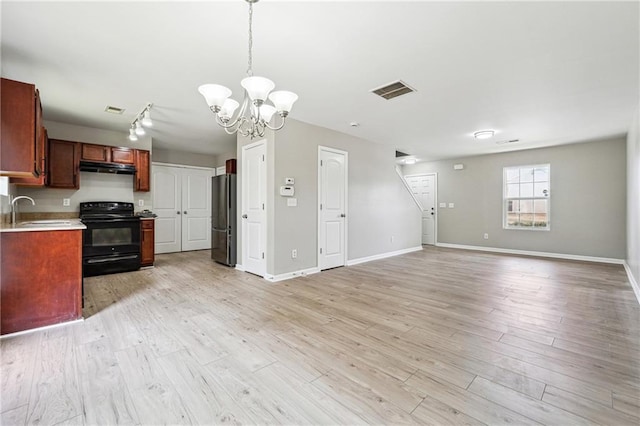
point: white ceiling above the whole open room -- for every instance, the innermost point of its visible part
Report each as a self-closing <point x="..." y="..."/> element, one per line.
<point x="543" y="72"/>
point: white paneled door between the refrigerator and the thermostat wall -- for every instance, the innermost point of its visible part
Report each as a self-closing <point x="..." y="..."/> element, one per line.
<point x="254" y="217"/>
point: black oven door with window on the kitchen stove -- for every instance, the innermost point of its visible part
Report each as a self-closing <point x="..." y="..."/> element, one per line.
<point x="111" y="237"/>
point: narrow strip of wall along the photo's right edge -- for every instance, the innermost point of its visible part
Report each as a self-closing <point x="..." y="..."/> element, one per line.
<point x="633" y="198"/>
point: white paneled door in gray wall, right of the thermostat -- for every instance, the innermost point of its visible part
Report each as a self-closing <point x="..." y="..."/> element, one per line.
<point x="332" y="181"/>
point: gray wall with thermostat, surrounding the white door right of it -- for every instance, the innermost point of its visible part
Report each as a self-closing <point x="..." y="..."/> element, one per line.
<point x="379" y="207"/>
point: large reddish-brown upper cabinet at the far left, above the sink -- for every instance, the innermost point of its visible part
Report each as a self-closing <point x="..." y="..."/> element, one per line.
<point x="21" y="149"/>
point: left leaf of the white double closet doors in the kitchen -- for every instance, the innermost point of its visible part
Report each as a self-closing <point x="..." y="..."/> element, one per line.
<point x="166" y="187"/>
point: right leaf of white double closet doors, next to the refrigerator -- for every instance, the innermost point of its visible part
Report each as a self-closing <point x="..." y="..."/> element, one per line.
<point x="196" y="209"/>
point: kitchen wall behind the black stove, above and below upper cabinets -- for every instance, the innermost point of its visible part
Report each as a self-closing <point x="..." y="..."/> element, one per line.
<point x="93" y="186"/>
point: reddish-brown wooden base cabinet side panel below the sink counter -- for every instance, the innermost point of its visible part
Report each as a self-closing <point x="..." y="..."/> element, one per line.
<point x="41" y="279"/>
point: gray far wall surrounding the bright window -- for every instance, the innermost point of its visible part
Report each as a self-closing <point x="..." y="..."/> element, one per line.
<point x="588" y="200"/>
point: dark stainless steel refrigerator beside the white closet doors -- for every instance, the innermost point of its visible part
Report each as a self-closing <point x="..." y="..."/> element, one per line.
<point x="223" y="219"/>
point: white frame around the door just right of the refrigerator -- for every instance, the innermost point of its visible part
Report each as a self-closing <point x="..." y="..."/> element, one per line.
<point x="240" y="211"/>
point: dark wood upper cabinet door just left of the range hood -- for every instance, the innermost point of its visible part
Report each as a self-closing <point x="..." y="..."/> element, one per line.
<point x="64" y="160"/>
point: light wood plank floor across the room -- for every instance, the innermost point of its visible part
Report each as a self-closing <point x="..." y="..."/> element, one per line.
<point x="439" y="336"/>
